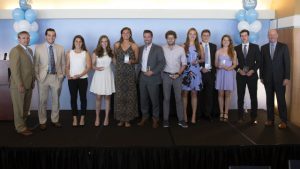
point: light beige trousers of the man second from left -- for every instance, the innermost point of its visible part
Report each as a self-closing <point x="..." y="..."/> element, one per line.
<point x="53" y="83"/>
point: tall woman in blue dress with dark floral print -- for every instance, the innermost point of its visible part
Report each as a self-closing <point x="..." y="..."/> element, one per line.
<point x="191" y="78"/>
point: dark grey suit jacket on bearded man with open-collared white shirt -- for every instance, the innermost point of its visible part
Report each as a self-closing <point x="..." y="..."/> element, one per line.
<point x="157" y="62"/>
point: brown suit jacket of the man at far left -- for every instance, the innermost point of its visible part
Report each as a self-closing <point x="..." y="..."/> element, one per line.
<point x="22" y="68"/>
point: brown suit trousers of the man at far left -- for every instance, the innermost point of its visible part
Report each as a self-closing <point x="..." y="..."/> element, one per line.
<point x="21" y="104"/>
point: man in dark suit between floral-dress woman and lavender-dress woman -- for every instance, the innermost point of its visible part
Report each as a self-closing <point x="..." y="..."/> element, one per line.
<point x="208" y="76"/>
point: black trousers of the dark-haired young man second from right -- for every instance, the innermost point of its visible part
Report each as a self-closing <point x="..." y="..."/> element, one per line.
<point x="251" y="82"/>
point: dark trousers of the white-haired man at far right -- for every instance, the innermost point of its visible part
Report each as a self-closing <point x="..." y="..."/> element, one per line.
<point x="279" y="89"/>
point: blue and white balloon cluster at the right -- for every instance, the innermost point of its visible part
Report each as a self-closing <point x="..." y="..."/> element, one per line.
<point x="247" y="19"/>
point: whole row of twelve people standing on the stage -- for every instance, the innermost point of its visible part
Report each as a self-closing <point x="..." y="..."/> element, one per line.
<point x="187" y="68"/>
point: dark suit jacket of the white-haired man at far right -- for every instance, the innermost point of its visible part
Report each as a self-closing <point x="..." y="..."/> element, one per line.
<point x="278" y="69"/>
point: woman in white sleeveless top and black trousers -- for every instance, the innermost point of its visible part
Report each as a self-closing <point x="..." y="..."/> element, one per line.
<point x="78" y="64"/>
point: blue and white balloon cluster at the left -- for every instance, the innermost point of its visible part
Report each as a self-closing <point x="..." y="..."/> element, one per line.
<point x="25" y="20"/>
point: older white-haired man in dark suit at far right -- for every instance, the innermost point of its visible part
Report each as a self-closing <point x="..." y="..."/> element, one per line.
<point x="275" y="75"/>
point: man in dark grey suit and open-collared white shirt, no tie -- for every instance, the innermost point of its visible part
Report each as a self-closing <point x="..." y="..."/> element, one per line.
<point x="152" y="62"/>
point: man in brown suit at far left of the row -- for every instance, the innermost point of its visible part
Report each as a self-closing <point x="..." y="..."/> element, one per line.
<point x="21" y="81"/>
